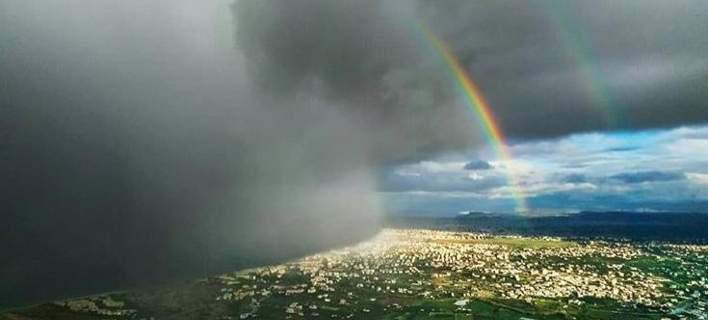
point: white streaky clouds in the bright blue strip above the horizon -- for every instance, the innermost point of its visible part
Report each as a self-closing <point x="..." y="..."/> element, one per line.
<point x="542" y="169"/>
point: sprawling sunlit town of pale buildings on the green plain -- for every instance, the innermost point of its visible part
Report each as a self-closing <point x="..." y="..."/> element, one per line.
<point x="532" y="273"/>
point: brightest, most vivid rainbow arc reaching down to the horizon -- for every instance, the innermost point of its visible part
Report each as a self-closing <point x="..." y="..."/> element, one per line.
<point x="480" y="107"/>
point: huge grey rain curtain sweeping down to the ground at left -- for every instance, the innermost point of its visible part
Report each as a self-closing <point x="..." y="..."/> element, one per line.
<point x="135" y="150"/>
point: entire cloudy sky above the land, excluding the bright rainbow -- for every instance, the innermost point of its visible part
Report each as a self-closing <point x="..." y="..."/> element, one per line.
<point x="144" y="141"/>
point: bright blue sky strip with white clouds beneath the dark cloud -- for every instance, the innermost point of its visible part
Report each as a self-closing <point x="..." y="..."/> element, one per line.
<point x="645" y="170"/>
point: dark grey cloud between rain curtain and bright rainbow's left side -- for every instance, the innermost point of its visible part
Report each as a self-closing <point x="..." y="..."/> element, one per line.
<point x="363" y="58"/>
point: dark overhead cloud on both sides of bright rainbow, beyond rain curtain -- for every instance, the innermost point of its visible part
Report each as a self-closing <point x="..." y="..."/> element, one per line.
<point x="548" y="68"/>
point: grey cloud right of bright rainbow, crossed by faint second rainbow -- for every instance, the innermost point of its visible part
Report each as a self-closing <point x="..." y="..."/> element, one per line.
<point x="554" y="67"/>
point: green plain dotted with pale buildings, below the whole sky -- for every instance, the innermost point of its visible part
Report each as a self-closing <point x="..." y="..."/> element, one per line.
<point x="423" y="274"/>
